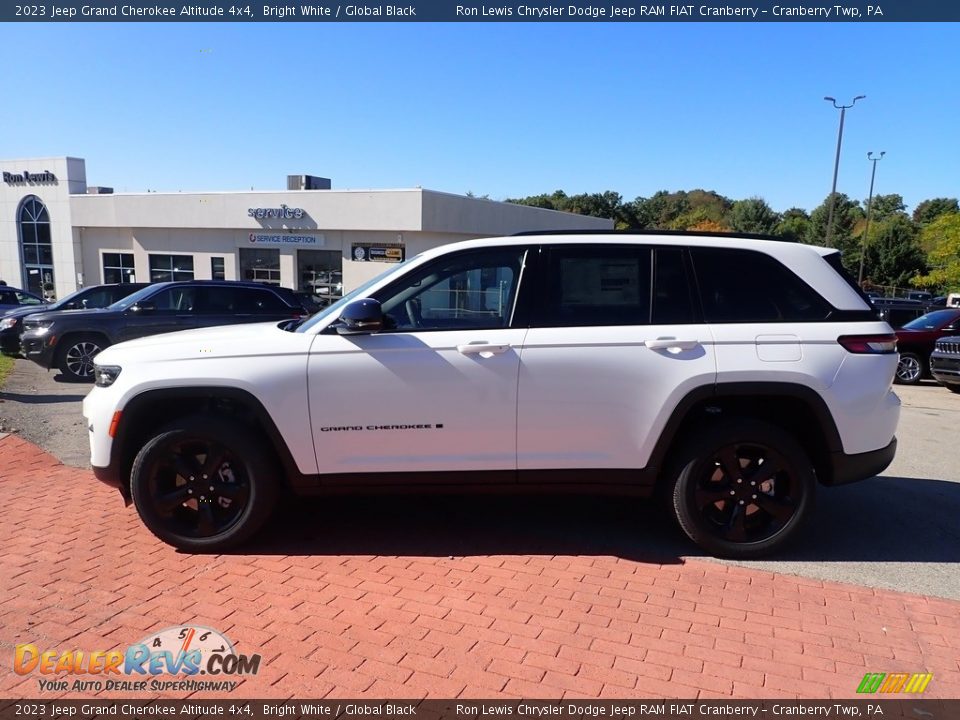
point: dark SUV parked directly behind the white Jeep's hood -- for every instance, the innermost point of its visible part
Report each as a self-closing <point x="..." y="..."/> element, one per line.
<point x="69" y="340"/>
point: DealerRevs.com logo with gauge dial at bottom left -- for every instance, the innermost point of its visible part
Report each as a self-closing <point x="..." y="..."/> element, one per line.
<point x="183" y="650"/>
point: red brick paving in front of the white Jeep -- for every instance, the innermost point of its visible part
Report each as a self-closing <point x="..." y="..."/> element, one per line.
<point x="79" y="571"/>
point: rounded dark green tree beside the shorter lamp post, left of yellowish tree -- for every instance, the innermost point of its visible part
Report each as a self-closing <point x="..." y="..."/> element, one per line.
<point x="893" y="255"/>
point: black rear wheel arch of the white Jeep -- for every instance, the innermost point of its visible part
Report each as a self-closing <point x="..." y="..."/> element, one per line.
<point x="795" y="408"/>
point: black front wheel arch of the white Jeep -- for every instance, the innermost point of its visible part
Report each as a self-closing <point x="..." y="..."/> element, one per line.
<point x="144" y="414"/>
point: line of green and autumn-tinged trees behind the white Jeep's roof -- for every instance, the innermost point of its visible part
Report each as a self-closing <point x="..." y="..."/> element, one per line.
<point x="920" y="249"/>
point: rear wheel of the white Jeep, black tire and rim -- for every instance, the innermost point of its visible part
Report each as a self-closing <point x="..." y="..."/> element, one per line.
<point x="714" y="501"/>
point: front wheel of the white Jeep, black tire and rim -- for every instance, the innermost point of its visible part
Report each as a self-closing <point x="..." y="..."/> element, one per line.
<point x="172" y="475"/>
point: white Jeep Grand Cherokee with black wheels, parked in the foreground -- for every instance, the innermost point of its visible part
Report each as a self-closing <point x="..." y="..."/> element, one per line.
<point x="731" y="373"/>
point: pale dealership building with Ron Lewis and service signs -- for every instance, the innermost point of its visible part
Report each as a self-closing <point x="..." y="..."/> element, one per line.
<point x="57" y="233"/>
